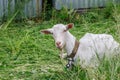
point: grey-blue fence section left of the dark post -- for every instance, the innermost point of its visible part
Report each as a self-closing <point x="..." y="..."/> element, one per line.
<point x="31" y="8"/>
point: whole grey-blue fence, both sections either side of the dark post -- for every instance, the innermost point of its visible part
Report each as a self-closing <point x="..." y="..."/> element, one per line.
<point x="33" y="8"/>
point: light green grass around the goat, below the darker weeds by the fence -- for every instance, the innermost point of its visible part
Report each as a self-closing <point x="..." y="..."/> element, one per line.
<point x="26" y="54"/>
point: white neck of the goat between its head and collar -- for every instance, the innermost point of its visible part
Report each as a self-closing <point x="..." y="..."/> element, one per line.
<point x="70" y="42"/>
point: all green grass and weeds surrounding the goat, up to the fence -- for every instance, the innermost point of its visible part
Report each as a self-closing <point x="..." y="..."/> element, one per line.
<point x="25" y="54"/>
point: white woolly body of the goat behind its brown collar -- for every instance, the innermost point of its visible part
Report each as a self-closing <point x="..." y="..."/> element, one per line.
<point x="95" y="45"/>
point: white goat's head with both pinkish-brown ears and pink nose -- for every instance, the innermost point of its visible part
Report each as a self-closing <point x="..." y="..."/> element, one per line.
<point x="59" y="32"/>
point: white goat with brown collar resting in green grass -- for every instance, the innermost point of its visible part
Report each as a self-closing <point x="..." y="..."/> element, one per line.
<point x="88" y="49"/>
